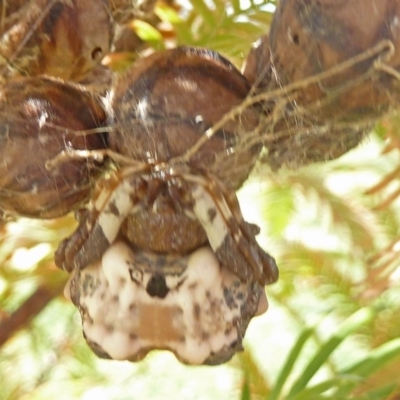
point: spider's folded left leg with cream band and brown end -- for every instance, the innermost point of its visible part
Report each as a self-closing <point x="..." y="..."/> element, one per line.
<point x="99" y="227"/>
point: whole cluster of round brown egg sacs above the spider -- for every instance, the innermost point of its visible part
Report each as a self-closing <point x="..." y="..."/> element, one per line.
<point x="166" y="102"/>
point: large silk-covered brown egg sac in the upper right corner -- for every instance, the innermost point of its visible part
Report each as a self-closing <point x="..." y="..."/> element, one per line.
<point x="325" y="119"/>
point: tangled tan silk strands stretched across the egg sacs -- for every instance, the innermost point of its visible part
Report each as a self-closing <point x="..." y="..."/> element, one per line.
<point x="289" y="129"/>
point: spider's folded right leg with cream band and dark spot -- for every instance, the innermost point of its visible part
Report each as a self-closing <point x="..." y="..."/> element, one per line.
<point x="231" y="238"/>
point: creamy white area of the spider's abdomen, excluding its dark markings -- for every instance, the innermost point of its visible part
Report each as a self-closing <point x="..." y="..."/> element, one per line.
<point x="124" y="320"/>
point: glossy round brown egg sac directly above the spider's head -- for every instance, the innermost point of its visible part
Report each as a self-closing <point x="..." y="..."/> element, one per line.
<point x="165" y="103"/>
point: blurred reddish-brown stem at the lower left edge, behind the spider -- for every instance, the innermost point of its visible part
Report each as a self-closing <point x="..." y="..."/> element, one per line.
<point x="32" y="306"/>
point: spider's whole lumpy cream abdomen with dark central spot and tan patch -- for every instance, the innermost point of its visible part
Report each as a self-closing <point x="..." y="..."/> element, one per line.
<point x="201" y="315"/>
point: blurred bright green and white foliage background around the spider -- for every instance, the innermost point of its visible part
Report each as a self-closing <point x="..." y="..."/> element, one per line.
<point x="332" y="330"/>
